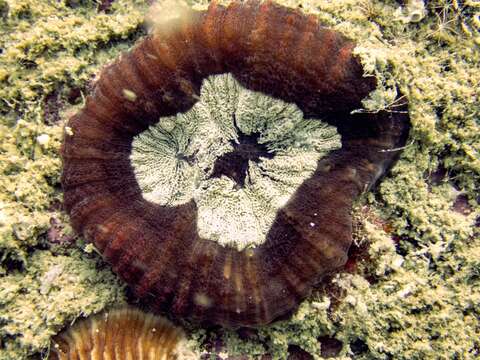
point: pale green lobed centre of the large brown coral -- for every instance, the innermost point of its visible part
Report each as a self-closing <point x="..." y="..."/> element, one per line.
<point x="239" y="154"/>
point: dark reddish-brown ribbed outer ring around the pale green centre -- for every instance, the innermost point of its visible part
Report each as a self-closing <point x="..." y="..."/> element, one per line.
<point x="156" y="248"/>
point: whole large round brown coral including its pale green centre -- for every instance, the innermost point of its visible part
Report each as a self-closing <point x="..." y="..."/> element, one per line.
<point x="156" y="236"/>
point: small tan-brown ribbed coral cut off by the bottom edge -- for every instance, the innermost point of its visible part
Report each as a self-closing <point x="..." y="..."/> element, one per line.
<point x="124" y="333"/>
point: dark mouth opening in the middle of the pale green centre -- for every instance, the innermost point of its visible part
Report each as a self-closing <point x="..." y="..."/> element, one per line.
<point x="234" y="164"/>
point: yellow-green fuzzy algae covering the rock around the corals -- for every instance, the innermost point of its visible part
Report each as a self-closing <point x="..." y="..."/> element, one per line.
<point x="415" y="291"/>
